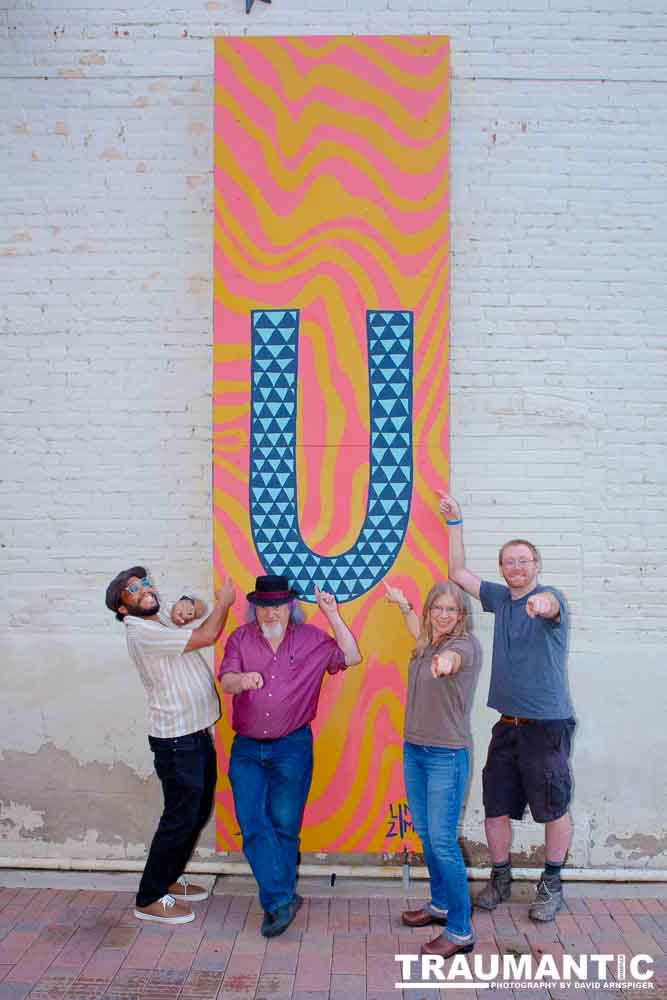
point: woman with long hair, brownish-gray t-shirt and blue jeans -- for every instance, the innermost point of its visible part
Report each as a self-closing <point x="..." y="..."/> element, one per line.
<point x="441" y="679"/>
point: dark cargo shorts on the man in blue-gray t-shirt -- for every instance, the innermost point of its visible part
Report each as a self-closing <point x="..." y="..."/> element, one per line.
<point x="529" y="764"/>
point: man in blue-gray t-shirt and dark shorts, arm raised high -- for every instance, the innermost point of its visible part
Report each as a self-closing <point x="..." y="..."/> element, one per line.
<point x="528" y="756"/>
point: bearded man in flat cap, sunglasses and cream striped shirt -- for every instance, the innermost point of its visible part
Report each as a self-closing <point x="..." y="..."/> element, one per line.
<point x="182" y="705"/>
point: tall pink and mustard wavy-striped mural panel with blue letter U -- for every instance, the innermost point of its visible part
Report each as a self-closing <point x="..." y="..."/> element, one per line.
<point x="330" y="387"/>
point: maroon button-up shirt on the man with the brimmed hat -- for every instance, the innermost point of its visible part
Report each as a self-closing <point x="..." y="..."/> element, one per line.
<point x="292" y="678"/>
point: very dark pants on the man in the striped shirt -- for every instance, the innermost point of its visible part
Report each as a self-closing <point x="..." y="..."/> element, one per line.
<point x="187" y="768"/>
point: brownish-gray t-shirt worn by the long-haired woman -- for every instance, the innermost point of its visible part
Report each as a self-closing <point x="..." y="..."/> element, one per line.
<point x="436" y="710"/>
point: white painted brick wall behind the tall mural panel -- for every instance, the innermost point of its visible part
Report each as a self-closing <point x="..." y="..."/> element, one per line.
<point x="559" y="215"/>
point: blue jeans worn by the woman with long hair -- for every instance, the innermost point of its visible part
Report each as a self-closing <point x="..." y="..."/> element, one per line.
<point x="435" y="780"/>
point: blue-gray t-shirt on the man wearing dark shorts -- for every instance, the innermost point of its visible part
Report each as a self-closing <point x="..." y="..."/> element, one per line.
<point x="528" y="677"/>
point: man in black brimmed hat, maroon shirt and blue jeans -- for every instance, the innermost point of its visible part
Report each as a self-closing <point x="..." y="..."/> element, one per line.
<point x="274" y="667"/>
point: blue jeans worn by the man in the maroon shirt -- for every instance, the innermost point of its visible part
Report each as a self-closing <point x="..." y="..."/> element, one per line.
<point x="270" y="782"/>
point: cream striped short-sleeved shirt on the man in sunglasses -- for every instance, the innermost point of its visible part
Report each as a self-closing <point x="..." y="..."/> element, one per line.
<point x="179" y="686"/>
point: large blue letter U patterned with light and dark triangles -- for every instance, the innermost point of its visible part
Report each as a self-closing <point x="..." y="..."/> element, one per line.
<point x="273" y="487"/>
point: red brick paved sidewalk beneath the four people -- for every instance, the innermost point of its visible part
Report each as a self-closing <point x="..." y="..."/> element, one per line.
<point x="69" y="943"/>
